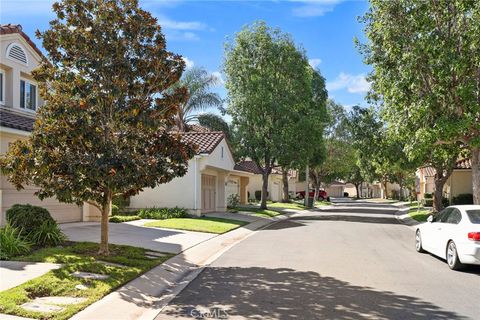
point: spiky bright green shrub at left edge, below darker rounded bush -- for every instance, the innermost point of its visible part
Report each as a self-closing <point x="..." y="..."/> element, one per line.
<point x="12" y="243"/>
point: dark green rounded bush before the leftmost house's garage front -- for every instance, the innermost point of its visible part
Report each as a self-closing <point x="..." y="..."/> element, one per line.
<point x="27" y="218"/>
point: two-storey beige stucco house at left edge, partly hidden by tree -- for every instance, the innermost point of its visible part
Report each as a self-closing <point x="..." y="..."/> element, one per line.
<point x="19" y="101"/>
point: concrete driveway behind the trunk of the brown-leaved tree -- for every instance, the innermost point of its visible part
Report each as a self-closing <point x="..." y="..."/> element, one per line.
<point x="134" y="234"/>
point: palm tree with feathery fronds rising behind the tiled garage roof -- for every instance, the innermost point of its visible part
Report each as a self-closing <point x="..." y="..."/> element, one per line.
<point x="198" y="82"/>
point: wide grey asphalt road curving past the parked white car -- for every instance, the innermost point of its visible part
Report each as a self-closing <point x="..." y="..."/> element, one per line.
<point x="353" y="261"/>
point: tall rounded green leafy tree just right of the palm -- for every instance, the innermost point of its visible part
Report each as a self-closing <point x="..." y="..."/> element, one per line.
<point x="269" y="85"/>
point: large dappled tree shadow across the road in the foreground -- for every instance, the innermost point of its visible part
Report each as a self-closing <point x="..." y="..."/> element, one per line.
<point x="261" y="293"/>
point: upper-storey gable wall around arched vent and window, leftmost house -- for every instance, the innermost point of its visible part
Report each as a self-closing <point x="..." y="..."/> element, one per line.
<point x="14" y="71"/>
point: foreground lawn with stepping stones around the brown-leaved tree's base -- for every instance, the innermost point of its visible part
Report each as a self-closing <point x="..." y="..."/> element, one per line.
<point x="80" y="256"/>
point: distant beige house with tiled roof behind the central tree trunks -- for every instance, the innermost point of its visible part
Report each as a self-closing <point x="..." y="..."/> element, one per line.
<point x="275" y="184"/>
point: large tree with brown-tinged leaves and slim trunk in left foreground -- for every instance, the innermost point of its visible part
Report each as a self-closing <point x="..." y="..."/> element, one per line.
<point x="103" y="129"/>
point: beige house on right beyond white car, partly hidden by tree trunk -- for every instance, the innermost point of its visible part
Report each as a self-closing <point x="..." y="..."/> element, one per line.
<point x="459" y="182"/>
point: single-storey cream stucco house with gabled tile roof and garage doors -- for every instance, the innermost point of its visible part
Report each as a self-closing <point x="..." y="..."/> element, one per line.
<point x="210" y="180"/>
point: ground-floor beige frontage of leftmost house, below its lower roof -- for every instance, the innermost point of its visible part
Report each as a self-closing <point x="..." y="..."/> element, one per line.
<point x="9" y="196"/>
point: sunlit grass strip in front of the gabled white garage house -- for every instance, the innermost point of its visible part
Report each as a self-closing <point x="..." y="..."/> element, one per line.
<point x="202" y="224"/>
